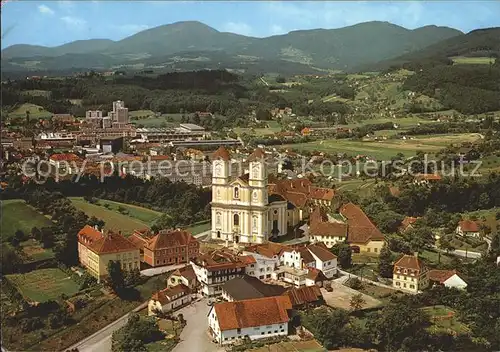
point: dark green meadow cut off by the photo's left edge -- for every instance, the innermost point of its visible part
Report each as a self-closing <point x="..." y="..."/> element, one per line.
<point x="17" y="215"/>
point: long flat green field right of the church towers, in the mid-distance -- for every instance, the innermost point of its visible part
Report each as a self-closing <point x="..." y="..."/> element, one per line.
<point x="384" y="150"/>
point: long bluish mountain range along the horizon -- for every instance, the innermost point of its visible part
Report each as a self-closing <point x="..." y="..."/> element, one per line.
<point x="343" y="48"/>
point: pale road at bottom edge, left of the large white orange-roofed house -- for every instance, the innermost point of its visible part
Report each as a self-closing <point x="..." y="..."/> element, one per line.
<point x="194" y="336"/>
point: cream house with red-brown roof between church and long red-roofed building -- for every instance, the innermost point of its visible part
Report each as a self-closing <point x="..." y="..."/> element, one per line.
<point x="325" y="230"/>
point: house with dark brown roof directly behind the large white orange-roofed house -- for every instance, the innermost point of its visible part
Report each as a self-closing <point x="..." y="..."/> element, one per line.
<point x="249" y="287"/>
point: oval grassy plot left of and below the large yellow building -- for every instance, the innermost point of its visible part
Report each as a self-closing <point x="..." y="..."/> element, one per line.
<point x="44" y="284"/>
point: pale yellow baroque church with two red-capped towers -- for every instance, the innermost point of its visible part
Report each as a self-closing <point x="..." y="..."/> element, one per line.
<point x="242" y="209"/>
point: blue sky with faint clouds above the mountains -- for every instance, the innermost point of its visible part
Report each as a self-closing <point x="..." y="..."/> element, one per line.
<point x="53" y="23"/>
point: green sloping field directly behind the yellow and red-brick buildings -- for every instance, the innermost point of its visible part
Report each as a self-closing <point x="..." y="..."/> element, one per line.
<point x="113" y="219"/>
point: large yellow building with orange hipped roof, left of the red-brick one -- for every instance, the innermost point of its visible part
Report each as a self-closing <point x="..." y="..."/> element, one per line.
<point x="96" y="249"/>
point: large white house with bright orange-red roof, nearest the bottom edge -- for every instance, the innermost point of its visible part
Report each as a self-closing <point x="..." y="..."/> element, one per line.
<point x="256" y="318"/>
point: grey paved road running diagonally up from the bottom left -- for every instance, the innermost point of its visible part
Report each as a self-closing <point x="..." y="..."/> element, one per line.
<point x="101" y="340"/>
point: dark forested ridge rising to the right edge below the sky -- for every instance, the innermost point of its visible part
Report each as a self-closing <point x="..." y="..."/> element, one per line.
<point x="481" y="42"/>
